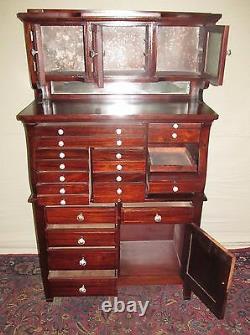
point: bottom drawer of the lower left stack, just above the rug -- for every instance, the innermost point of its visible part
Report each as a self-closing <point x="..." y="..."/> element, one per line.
<point x="81" y="286"/>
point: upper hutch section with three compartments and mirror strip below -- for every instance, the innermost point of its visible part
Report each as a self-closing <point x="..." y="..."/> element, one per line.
<point x="77" y="52"/>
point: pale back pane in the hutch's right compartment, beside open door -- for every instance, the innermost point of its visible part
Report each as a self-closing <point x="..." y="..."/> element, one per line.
<point x="178" y="49"/>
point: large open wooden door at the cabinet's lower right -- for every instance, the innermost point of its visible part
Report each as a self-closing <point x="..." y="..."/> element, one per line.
<point x="207" y="269"/>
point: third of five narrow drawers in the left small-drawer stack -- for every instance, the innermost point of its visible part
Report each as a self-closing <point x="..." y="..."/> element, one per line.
<point x="62" y="177"/>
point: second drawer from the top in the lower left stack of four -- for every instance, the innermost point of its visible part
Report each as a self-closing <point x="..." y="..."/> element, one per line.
<point x="80" y="237"/>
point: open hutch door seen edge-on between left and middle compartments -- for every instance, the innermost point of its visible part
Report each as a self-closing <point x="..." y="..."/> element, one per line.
<point x="97" y="54"/>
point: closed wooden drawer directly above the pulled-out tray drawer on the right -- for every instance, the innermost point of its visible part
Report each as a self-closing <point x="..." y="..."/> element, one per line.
<point x="164" y="133"/>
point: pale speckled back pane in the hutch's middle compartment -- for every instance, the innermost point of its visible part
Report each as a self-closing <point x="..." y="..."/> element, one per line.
<point x="124" y="48"/>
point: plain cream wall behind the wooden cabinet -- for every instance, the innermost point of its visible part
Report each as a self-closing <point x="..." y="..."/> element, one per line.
<point x="226" y="215"/>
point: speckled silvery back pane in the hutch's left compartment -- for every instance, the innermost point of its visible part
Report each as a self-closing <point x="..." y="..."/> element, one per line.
<point x="63" y="48"/>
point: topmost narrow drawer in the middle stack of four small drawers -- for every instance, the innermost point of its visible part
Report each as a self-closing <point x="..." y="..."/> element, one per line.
<point x="118" y="155"/>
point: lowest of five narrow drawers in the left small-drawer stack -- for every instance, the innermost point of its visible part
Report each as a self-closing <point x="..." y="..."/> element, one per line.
<point x="63" y="199"/>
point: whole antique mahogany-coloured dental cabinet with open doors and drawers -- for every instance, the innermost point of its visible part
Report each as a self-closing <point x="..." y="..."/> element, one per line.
<point x="117" y="141"/>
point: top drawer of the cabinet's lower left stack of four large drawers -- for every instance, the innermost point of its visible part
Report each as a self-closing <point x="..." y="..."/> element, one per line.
<point x="80" y="215"/>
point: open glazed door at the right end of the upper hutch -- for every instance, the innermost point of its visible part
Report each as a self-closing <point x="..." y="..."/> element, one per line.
<point x="216" y="51"/>
